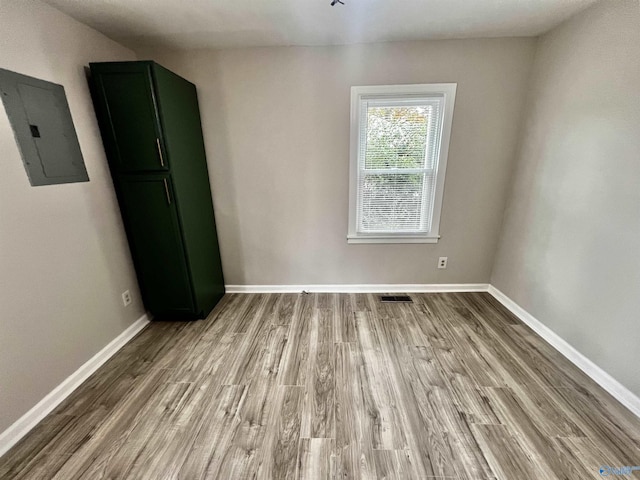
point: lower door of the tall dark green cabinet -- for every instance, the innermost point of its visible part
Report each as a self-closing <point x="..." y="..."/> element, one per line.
<point x="149" y="209"/>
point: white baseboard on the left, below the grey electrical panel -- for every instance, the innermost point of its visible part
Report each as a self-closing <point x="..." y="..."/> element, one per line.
<point x="24" y="424"/>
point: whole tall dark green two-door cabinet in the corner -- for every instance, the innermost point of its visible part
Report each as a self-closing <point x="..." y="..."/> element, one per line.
<point x="150" y="124"/>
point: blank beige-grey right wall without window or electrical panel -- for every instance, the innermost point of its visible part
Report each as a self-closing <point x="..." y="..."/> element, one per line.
<point x="570" y="248"/>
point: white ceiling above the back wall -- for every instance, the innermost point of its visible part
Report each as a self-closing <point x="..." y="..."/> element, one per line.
<point x="187" y="24"/>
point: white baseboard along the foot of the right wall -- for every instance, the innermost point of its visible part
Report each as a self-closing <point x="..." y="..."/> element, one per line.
<point x="602" y="378"/>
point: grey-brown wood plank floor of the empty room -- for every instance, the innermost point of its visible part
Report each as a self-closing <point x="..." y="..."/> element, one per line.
<point x="328" y="386"/>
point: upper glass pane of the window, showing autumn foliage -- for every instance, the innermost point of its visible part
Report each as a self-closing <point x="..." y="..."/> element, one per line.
<point x="396" y="136"/>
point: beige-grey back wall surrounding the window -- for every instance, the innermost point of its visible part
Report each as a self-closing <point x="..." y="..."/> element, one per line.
<point x="276" y="124"/>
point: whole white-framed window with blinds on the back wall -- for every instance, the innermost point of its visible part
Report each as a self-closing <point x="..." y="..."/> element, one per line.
<point x="399" y="143"/>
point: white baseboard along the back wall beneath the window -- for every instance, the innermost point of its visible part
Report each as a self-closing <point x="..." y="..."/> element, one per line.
<point x="361" y="288"/>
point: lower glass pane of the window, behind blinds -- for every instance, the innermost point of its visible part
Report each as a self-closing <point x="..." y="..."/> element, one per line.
<point x="393" y="202"/>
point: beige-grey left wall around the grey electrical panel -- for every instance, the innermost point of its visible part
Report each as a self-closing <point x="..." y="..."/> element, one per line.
<point x="64" y="259"/>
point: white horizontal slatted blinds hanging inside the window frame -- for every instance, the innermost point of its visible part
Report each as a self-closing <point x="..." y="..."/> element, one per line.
<point x="398" y="150"/>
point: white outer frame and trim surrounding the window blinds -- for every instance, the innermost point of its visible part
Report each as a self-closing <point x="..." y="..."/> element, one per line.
<point x="399" y="92"/>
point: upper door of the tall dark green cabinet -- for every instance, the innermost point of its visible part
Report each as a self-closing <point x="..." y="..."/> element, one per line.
<point x="128" y="115"/>
